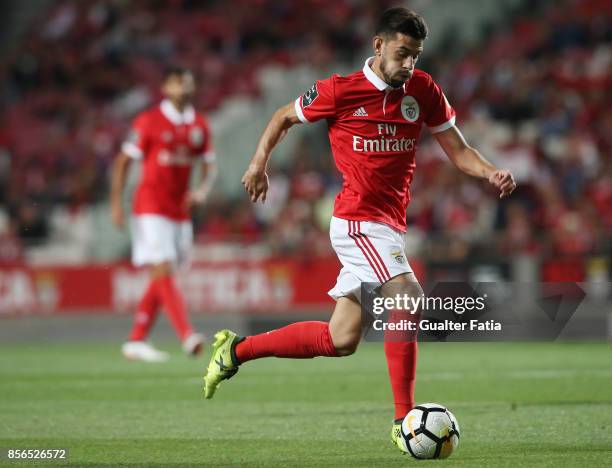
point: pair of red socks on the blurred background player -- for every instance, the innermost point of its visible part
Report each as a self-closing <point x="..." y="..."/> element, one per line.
<point x="161" y="291"/>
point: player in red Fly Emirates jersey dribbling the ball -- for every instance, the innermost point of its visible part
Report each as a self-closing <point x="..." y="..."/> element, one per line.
<point x="374" y="118"/>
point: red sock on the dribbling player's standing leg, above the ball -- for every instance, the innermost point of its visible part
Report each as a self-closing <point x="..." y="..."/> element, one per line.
<point x="401" y="353"/>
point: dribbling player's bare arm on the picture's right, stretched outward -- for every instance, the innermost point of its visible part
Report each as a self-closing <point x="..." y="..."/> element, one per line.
<point x="470" y="161"/>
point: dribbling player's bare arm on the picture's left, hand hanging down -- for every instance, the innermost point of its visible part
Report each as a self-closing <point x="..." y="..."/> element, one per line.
<point x="255" y="179"/>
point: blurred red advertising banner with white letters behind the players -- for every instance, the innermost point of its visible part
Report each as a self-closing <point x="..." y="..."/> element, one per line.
<point x="267" y="286"/>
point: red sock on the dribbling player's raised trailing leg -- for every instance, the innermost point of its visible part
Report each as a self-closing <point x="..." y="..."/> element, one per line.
<point x="299" y="340"/>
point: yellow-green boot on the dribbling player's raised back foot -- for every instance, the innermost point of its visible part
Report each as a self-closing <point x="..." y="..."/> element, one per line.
<point x="223" y="362"/>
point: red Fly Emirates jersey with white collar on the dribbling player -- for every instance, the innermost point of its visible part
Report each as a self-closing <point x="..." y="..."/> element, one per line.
<point x="373" y="130"/>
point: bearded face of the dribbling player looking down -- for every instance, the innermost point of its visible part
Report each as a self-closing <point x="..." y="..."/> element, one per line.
<point x="398" y="56"/>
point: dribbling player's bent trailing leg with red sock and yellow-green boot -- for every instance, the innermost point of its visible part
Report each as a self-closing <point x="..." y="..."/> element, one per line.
<point x="300" y="340"/>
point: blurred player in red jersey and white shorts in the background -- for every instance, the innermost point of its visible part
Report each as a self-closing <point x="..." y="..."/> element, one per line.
<point x="168" y="140"/>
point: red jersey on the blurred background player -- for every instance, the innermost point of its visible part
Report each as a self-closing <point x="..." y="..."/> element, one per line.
<point x="168" y="142"/>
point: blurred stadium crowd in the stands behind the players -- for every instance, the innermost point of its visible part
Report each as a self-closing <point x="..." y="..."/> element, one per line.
<point x="533" y="96"/>
